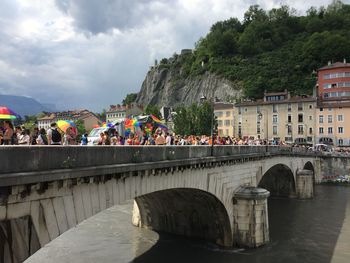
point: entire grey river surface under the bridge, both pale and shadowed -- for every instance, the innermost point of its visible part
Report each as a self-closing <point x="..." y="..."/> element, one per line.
<point x="314" y="231"/>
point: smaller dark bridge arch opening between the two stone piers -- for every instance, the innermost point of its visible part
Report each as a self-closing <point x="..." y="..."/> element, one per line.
<point x="279" y="181"/>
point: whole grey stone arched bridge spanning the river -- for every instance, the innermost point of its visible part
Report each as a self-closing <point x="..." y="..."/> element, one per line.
<point x="44" y="191"/>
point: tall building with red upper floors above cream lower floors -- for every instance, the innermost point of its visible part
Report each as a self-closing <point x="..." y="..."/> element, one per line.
<point x="333" y="104"/>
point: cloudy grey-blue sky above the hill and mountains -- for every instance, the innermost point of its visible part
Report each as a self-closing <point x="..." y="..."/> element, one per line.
<point x="91" y="53"/>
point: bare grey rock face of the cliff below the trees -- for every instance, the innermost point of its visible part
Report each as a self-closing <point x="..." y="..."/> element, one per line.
<point x="167" y="87"/>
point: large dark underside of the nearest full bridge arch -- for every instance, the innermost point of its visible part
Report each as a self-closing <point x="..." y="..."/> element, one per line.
<point x="185" y="211"/>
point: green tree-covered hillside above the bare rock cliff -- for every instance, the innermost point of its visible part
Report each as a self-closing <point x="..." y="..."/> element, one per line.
<point x="271" y="50"/>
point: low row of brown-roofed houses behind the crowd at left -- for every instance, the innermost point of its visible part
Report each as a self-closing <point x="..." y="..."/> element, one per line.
<point x="88" y="118"/>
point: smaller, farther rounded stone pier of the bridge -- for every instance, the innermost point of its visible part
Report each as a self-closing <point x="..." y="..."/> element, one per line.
<point x="305" y="184"/>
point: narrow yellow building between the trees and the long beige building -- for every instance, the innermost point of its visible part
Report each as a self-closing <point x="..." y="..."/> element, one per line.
<point x="224" y="113"/>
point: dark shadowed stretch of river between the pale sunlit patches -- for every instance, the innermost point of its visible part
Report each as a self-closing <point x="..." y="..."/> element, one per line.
<point x="300" y="231"/>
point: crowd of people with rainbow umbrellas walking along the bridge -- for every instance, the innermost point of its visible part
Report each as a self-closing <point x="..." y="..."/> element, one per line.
<point x="10" y="135"/>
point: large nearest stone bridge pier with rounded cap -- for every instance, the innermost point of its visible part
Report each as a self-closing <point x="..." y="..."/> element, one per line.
<point x="250" y="217"/>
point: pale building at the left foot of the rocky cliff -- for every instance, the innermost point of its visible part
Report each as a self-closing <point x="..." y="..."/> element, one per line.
<point x="118" y="113"/>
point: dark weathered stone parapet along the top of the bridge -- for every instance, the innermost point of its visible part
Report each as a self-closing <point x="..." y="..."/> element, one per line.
<point x="15" y="159"/>
